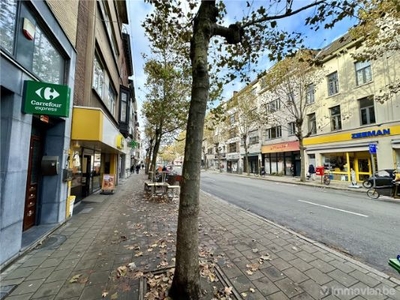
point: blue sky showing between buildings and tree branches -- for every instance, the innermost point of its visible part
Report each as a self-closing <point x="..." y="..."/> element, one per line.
<point x="137" y="10"/>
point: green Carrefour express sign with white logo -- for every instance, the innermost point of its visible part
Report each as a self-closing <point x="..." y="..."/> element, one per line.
<point x="41" y="98"/>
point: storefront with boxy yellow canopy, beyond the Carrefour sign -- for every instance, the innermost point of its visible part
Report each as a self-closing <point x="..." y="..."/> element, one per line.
<point x="98" y="149"/>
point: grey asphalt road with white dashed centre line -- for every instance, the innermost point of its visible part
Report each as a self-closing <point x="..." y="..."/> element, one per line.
<point x="368" y="230"/>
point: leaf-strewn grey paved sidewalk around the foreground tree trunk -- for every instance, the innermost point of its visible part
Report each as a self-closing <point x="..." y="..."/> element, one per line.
<point x="83" y="258"/>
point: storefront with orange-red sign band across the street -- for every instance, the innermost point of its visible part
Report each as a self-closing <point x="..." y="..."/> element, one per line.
<point x="282" y="158"/>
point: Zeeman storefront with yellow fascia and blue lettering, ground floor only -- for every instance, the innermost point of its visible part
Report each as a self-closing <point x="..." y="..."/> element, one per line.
<point x="341" y="153"/>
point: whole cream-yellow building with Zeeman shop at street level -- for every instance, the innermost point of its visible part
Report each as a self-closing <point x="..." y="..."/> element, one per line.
<point x="350" y="118"/>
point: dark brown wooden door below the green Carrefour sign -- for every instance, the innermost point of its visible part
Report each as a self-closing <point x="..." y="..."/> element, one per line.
<point x="32" y="182"/>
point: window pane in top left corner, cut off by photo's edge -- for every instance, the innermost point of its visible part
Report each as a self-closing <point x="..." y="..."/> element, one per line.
<point x="8" y="13"/>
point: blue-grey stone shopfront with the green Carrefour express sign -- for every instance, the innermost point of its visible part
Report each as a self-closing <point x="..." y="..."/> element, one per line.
<point x="37" y="77"/>
